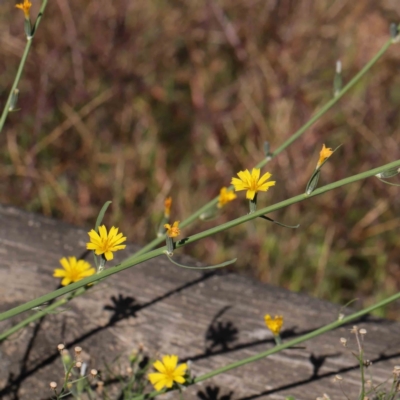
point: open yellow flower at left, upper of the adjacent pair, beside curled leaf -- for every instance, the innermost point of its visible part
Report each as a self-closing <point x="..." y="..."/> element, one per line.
<point x="105" y="243"/>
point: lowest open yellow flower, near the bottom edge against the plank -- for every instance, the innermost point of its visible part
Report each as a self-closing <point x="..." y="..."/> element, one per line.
<point x="168" y="372"/>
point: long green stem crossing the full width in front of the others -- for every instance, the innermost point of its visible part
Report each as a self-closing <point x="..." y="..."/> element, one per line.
<point x="134" y="260"/>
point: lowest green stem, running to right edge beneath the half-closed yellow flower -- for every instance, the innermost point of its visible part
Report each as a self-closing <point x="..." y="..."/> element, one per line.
<point x="277" y="349"/>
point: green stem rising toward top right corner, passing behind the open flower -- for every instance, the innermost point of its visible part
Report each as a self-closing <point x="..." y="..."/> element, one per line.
<point x="279" y="150"/>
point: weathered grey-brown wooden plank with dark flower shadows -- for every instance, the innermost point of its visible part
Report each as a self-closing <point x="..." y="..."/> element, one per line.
<point x="212" y="319"/>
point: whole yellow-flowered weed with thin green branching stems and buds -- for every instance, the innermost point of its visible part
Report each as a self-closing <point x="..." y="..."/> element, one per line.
<point x="78" y="276"/>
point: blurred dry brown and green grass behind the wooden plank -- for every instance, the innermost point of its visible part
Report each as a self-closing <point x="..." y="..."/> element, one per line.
<point x="135" y="101"/>
